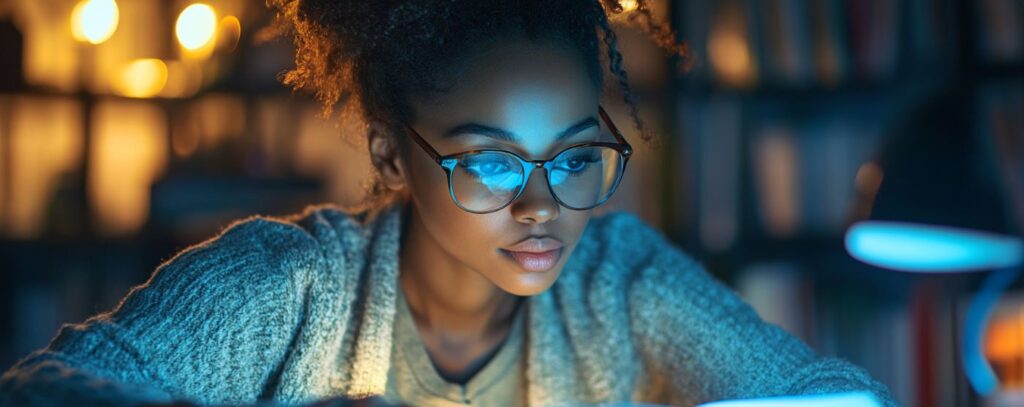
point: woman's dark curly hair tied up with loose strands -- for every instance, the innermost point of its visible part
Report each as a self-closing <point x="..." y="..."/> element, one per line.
<point x="371" y="57"/>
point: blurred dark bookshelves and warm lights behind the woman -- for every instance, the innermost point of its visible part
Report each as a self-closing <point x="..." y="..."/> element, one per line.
<point x="132" y="130"/>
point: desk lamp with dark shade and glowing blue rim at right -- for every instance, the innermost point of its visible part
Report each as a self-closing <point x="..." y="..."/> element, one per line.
<point x="940" y="210"/>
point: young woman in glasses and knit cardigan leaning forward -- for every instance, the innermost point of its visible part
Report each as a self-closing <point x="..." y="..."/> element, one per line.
<point x="478" y="275"/>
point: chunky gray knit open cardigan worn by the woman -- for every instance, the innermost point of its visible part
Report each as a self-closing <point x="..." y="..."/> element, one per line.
<point x="302" y="308"/>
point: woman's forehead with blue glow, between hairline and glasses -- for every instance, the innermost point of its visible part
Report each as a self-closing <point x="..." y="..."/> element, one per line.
<point x="533" y="91"/>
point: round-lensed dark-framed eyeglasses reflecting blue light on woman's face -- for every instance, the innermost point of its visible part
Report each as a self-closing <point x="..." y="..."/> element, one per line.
<point x="581" y="177"/>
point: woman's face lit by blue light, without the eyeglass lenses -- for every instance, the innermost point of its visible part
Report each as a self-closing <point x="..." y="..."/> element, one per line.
<point x="519" y="97"/>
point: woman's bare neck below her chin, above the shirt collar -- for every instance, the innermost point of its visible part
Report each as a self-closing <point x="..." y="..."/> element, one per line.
<point x="445" y="296"/>
